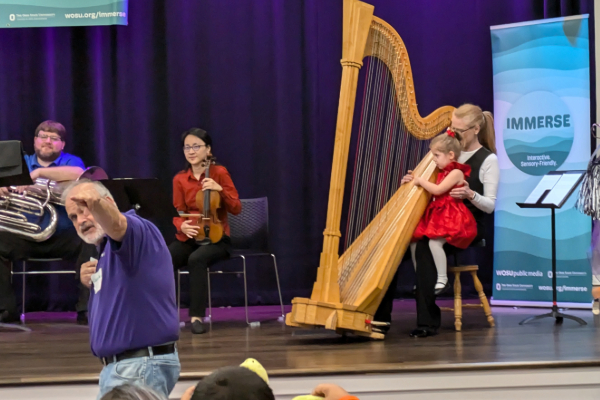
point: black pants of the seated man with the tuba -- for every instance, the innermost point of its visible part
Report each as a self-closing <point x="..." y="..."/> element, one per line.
<point x="63" y="244"/>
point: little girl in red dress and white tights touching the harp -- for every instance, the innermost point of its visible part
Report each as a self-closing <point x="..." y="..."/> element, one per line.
<point x="446" y="219"/>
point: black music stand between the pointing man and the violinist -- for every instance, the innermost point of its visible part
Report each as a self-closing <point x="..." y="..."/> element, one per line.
<point x="145" y="196"/>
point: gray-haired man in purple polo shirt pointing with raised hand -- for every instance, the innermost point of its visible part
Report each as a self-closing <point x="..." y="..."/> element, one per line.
<point x="132" y="311"/>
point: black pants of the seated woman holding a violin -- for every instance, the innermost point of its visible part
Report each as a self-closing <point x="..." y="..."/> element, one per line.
<point x="198" y="259"/>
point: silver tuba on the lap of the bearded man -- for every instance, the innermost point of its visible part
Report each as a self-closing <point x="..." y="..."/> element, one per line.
<point x="37" y="200"/>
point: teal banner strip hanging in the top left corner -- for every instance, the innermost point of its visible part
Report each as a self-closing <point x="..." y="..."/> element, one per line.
<point x="46" y="13"/>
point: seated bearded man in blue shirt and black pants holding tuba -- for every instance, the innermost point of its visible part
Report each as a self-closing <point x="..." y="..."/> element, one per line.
<point x="50" y="162"/>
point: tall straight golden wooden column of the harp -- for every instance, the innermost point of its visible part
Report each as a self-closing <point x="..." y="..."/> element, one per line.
<point x="357" y="22"/>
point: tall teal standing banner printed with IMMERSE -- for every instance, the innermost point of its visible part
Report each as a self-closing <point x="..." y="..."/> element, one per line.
<point x="542" y="120"/>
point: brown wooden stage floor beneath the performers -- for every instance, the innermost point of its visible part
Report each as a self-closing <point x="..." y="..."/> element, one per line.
<point x="57" y="350"/>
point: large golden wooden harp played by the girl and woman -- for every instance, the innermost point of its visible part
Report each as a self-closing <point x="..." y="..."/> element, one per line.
<point x="391" y="138"/>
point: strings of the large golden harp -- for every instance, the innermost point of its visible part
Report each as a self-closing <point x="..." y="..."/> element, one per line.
<point x="385" y="151"/>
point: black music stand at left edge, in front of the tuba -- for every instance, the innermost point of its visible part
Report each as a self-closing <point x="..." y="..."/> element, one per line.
<point x="13" y="172"/>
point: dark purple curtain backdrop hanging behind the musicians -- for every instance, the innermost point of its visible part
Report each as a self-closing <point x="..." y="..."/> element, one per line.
<point x="262" y="77"/>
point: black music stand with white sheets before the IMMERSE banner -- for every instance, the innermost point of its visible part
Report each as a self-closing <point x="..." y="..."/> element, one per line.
<point x="552" y="192"/>
